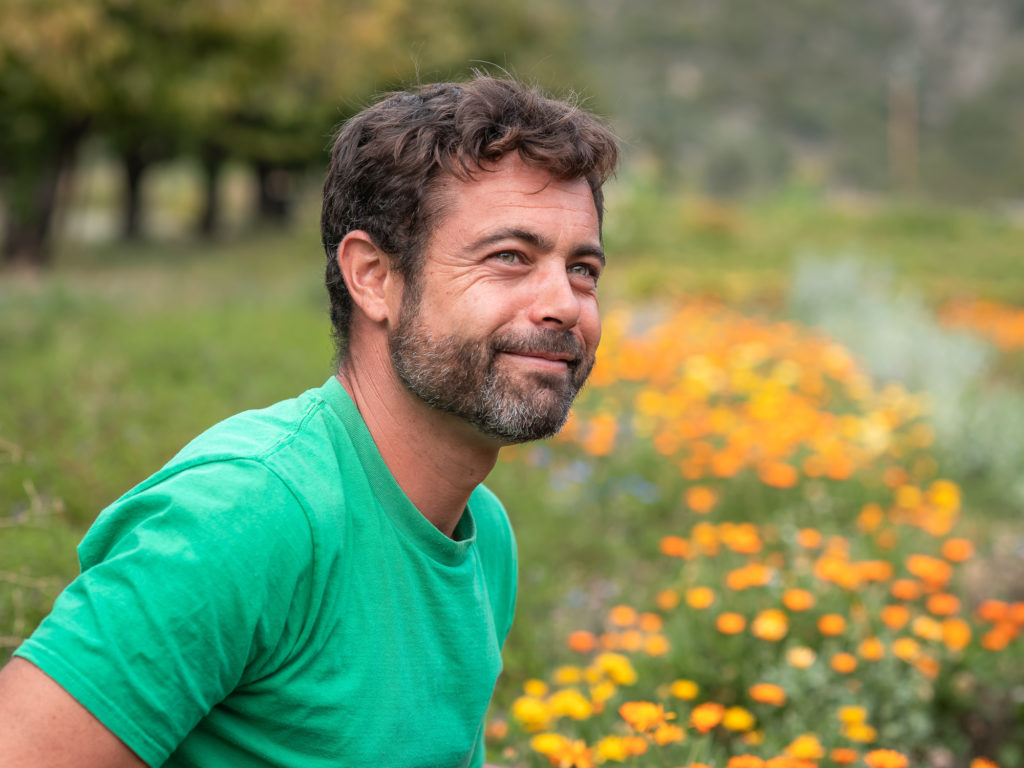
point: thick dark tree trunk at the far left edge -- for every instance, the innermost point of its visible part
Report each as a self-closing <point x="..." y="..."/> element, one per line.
<point x="33" y="196"/>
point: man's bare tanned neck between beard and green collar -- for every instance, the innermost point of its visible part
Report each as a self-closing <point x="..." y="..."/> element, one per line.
<point x="437" y="459"/>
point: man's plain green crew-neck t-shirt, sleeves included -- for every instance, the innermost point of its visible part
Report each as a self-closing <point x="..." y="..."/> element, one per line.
<point x="272" y="598"/>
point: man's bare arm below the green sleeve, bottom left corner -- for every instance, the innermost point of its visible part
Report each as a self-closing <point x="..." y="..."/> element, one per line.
<point x="44" y="727"/>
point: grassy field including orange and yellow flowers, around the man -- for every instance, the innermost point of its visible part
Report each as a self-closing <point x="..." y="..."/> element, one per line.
<point x="723" y="431"/>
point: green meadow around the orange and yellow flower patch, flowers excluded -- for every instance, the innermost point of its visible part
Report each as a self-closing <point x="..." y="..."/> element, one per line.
<point x="120" y="355"/>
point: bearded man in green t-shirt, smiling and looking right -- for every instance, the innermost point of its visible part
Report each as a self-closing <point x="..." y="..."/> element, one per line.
<point x="325" y="582"/>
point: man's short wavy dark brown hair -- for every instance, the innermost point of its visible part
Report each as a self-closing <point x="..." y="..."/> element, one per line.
<point x="389" y="162"/>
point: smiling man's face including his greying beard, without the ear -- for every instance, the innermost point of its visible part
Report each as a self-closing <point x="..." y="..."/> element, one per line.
<point x="502" y="328"/>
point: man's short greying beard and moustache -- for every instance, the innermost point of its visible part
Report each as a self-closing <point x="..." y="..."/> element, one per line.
<point x="465" y="377"/>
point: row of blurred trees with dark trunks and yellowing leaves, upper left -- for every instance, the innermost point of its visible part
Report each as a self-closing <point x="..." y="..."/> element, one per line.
<point x="258" y="80"/>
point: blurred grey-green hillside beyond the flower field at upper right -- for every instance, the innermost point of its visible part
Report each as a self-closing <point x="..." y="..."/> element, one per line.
<point x="722" y="91"/>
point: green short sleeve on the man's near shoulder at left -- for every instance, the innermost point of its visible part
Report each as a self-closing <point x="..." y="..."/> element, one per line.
<point x="185" y="594"/>
